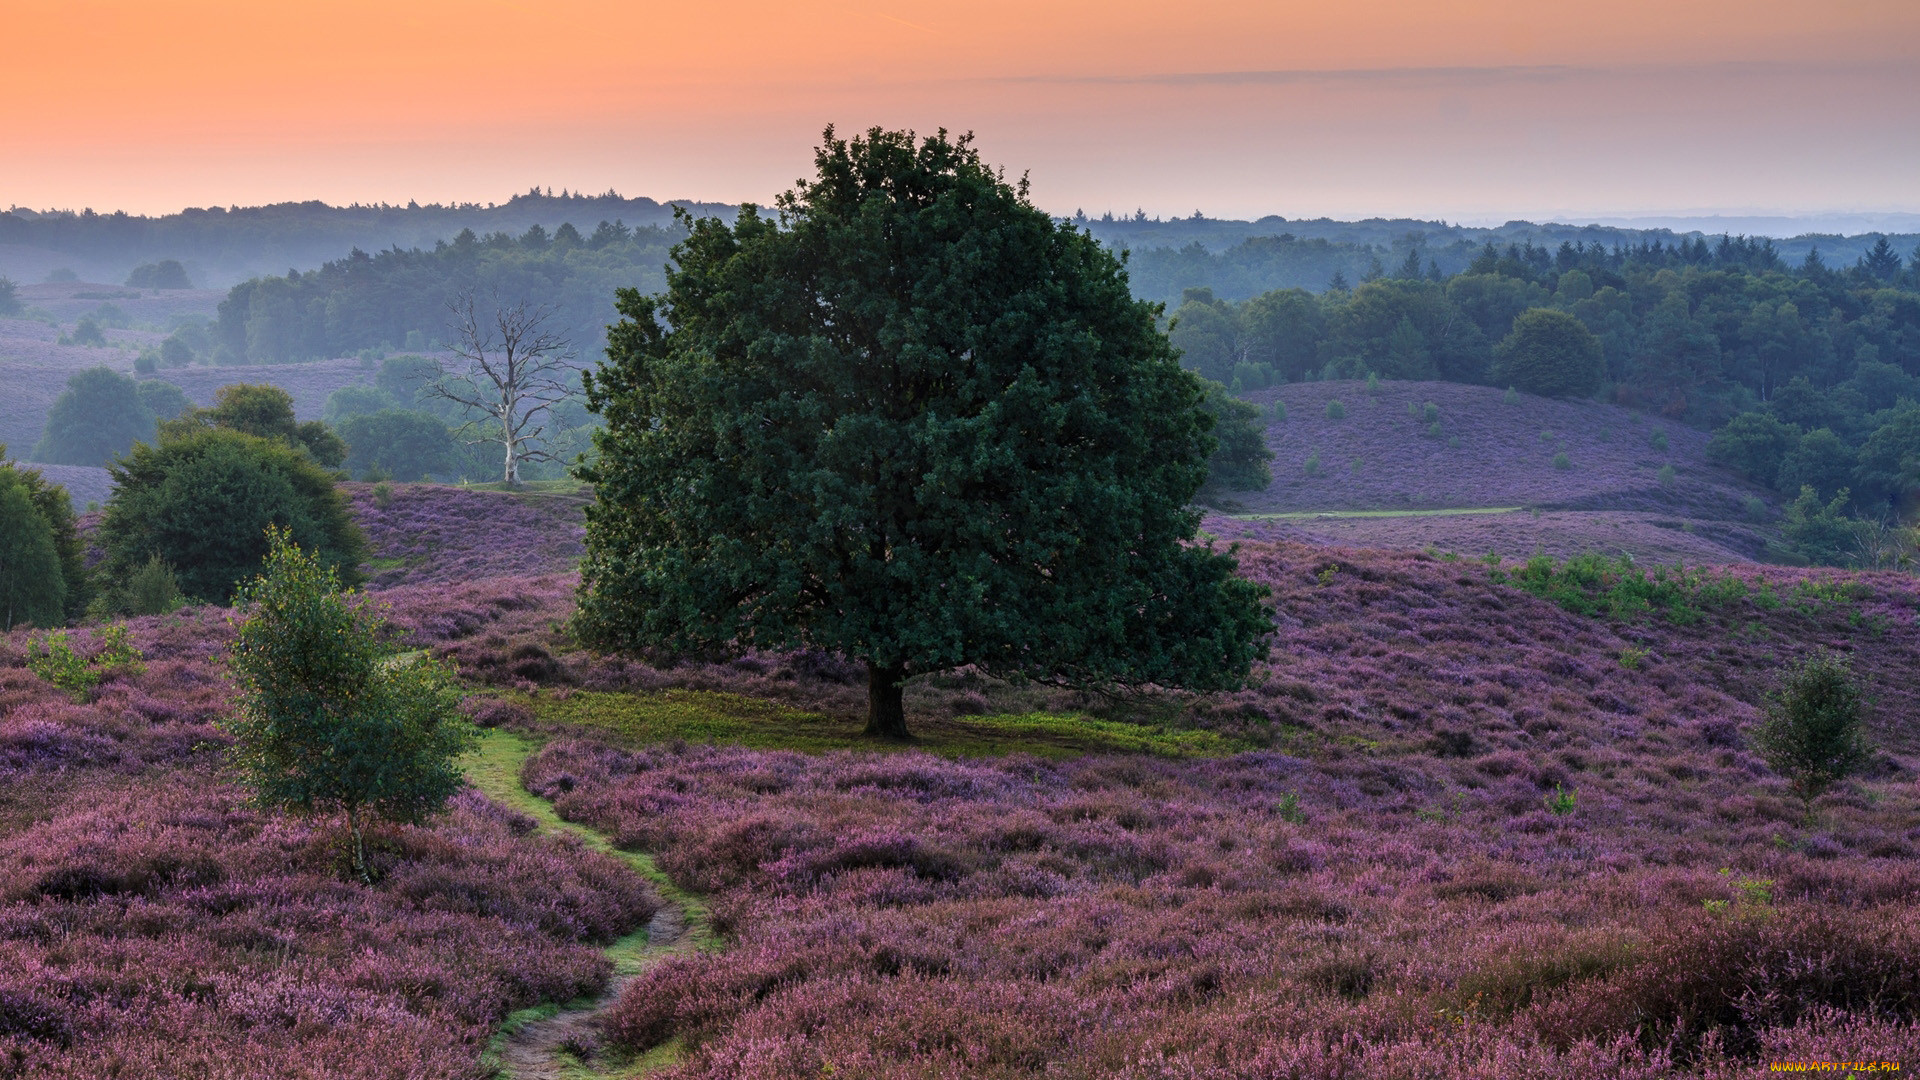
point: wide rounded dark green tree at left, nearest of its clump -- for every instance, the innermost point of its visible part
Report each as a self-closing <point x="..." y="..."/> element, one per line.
<point x="204" y="501"/>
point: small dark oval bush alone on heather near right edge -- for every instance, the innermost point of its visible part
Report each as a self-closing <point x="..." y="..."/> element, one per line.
<point x="1815" y="729"/>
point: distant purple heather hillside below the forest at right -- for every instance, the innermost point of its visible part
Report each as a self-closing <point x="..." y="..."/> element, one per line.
<point x="1491" y="453"/>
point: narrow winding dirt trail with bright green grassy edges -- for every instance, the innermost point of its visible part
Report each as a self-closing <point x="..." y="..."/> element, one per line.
<point x="542" y="1043"/>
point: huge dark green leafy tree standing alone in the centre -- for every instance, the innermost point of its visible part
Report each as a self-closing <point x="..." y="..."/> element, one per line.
<point x="913" y="422"/>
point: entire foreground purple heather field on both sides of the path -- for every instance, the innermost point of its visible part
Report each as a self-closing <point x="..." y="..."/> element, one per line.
<point x="1451" y="829"/>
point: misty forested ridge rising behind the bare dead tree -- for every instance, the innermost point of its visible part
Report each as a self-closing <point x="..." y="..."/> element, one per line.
<point x="398" y="299"/>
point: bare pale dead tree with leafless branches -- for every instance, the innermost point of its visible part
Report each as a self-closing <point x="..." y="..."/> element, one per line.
<point x="510" y="366"/>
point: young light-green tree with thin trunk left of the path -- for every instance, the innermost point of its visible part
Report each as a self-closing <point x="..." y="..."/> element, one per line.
<point x="329" y="720"/>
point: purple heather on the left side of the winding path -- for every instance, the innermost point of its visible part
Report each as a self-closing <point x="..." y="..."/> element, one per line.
<point x="153" y="923"/>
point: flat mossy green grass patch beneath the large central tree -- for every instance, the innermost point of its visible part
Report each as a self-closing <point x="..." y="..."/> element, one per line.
<point x="706" y="716"/>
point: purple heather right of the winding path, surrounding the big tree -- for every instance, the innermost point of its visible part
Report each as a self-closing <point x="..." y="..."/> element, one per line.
<point x="1479" y="837"/>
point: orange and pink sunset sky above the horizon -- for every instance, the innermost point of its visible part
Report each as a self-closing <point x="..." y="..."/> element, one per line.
<point x="1462" y="110"/>
